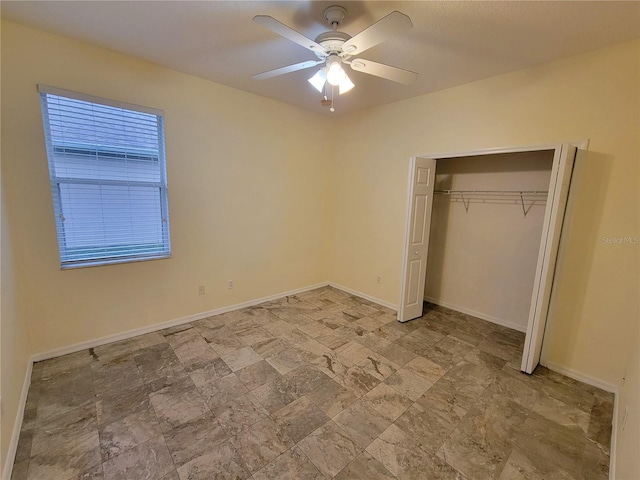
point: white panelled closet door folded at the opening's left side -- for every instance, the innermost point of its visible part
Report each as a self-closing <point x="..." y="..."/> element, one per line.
<point x="422" y="172"/>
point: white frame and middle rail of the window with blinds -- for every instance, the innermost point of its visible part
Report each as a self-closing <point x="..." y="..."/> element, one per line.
<point x="94" y="149"/>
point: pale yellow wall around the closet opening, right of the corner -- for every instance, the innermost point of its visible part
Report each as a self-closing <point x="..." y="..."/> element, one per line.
<point x="595" y="96"/>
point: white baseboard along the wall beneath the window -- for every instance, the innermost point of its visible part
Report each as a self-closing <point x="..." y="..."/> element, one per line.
<point x="96" y="342"/>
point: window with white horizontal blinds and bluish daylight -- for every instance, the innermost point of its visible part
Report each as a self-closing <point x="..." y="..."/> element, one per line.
<point x="108" y="179"/>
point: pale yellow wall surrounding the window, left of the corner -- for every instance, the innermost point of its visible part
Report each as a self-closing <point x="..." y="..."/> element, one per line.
<point x="247" y="192"/>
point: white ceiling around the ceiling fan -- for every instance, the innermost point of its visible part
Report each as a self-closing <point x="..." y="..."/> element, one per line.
<point x="451" y="43"/>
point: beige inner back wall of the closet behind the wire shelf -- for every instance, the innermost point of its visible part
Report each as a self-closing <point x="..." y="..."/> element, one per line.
<point x="482" y="259"/>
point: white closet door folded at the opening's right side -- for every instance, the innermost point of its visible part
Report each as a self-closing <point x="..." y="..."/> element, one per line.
<point x="547" y="256"/>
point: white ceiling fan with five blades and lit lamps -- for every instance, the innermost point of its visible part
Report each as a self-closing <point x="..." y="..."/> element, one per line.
<point x="335" y="49"/>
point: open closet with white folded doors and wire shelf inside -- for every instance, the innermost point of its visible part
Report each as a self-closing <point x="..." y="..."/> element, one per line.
<point x="482" y="235"/>
